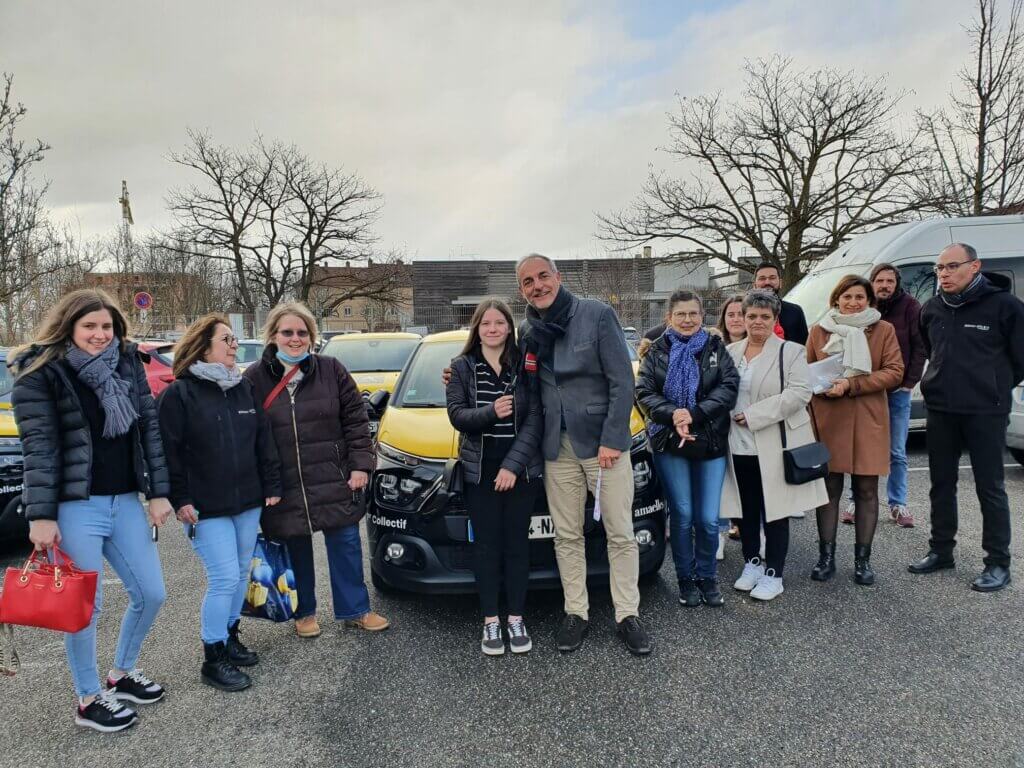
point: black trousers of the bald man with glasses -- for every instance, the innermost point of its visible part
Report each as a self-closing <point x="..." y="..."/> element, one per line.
<point x="986" y="439"/>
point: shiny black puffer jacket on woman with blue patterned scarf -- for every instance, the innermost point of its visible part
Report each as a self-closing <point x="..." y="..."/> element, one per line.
<point x="716" y="394"/>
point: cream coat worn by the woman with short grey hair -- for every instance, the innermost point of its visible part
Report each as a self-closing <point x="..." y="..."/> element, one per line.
<point x="770" y="408"/>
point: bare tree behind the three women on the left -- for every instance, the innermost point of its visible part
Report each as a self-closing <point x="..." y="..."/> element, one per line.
<point x="274" y="215"/>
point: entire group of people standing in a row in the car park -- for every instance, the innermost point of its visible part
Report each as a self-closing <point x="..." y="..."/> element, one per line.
<point x="286" y="448"/>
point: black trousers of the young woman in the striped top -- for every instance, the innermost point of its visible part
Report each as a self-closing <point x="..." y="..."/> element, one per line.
<point x="501" y="539"/>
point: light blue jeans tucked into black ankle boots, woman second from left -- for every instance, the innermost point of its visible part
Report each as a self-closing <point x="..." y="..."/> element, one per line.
<point x="226" y="546"/>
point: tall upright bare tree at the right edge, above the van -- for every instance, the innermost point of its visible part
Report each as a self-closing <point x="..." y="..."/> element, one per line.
<point x="979" y="139"/>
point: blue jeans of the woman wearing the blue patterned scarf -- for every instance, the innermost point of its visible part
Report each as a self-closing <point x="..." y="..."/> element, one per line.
<point x="694" y="490"/>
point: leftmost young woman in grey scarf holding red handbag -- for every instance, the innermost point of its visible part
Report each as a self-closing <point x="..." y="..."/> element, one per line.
<point x="92" y="445"/>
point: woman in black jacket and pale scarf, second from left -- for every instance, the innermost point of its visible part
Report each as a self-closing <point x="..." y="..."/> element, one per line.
<point x="225" y="470"/>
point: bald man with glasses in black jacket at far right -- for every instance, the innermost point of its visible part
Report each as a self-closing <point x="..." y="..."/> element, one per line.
<point x="974" y="336"/>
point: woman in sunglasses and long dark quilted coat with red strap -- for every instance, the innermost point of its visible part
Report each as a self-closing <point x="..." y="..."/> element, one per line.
<point x="321" y="428"/>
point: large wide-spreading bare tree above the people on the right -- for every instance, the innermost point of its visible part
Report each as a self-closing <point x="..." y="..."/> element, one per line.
<point x="805" y="161"/>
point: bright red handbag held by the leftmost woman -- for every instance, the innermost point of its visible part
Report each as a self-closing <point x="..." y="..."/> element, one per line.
<point x="51" y="596"/>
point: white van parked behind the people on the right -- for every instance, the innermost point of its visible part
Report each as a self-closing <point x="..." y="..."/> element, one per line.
<point x="914" y="248"/>
